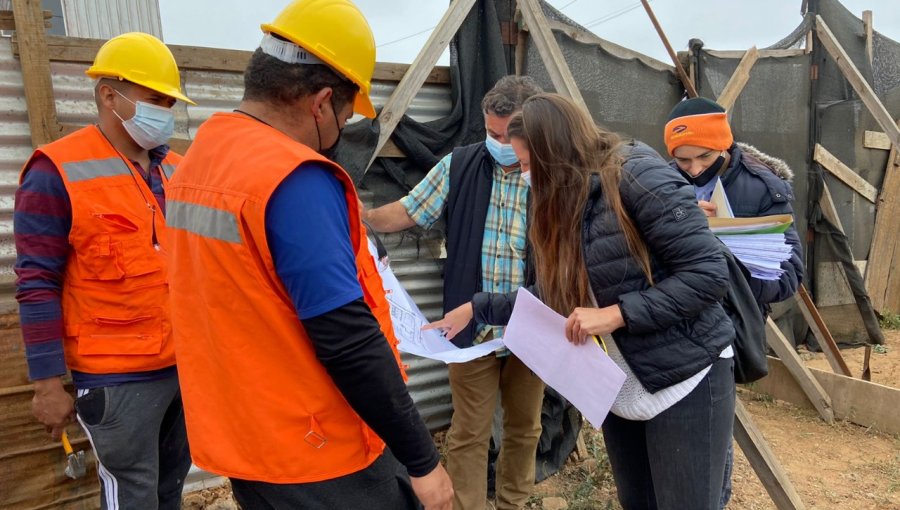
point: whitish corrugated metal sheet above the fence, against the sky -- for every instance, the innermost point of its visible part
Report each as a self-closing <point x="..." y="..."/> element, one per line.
<point x="103" y="19"/>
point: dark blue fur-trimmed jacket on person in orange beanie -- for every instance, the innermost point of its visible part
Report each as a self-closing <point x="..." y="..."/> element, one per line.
<point x="759" y="185"/>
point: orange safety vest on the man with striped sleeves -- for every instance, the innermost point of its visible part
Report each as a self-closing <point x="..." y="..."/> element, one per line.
<point x="115" y="299"/>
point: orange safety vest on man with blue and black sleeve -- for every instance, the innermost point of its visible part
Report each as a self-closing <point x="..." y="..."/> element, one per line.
<point x="258" y="403"/>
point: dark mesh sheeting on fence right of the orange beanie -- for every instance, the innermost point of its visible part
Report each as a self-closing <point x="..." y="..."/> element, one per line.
<point x="784" y="112"/>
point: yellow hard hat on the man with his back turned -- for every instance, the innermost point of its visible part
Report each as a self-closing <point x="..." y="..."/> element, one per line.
<point x="338" y="34"/>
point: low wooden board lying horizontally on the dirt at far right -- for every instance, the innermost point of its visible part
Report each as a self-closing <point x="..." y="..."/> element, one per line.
<point x="861" y="402"/>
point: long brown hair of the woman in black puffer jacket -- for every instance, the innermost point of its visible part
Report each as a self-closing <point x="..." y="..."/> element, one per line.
<point x="565" y="149"/>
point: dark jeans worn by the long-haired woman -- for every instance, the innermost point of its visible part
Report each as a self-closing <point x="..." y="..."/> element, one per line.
<point x="676" y="460"/>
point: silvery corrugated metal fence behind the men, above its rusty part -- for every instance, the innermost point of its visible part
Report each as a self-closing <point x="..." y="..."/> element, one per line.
<point x="415" y="266"/>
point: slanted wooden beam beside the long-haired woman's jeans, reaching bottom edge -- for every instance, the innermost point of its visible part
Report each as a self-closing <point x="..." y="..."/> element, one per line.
<point x="763" y="461"/>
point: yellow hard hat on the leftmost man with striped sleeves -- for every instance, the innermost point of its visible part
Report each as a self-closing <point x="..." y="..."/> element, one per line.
<point x="139" y="58"/>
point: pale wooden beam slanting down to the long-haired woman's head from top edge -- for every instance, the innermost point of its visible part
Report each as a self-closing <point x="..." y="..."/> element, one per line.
<point x="542" y="35"/>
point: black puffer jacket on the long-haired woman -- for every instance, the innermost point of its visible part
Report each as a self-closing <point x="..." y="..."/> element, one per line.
<point x="676" y="327"/>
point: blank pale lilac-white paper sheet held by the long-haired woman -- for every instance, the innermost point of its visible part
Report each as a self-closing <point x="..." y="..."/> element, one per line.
<point x="583" y="374"/>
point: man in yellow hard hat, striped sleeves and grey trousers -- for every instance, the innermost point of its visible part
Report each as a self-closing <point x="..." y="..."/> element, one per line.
<point x="92" y="280"/>
